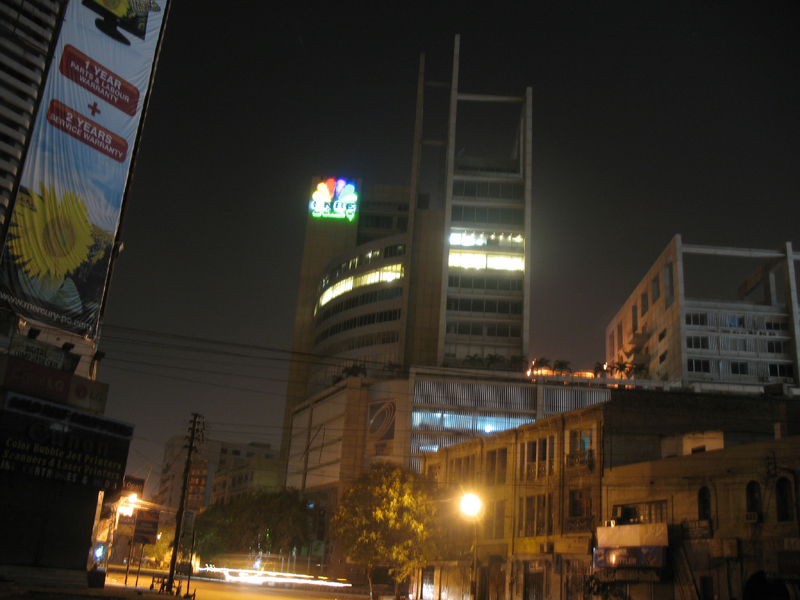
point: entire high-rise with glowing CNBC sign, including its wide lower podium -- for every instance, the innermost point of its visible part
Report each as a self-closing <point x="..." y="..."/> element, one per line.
<point x="412" y="321"/>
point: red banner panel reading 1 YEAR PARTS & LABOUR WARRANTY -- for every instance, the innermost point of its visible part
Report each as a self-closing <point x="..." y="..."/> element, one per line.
<point x="105" y="84"/>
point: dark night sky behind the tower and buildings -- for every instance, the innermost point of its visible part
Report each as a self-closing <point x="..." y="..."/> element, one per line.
<point x="650" y="119"/>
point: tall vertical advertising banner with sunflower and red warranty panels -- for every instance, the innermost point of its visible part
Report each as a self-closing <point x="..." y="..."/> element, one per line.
<point x="67" y="209"/>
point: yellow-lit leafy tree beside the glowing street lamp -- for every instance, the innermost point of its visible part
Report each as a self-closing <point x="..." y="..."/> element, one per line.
<point x="387" y="517"/>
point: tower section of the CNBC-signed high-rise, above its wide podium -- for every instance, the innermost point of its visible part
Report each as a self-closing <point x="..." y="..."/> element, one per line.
<point x="427" y="275"/>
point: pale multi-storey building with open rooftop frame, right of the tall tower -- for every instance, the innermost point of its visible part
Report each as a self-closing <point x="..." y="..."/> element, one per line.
<point x="713" y="318"/>
